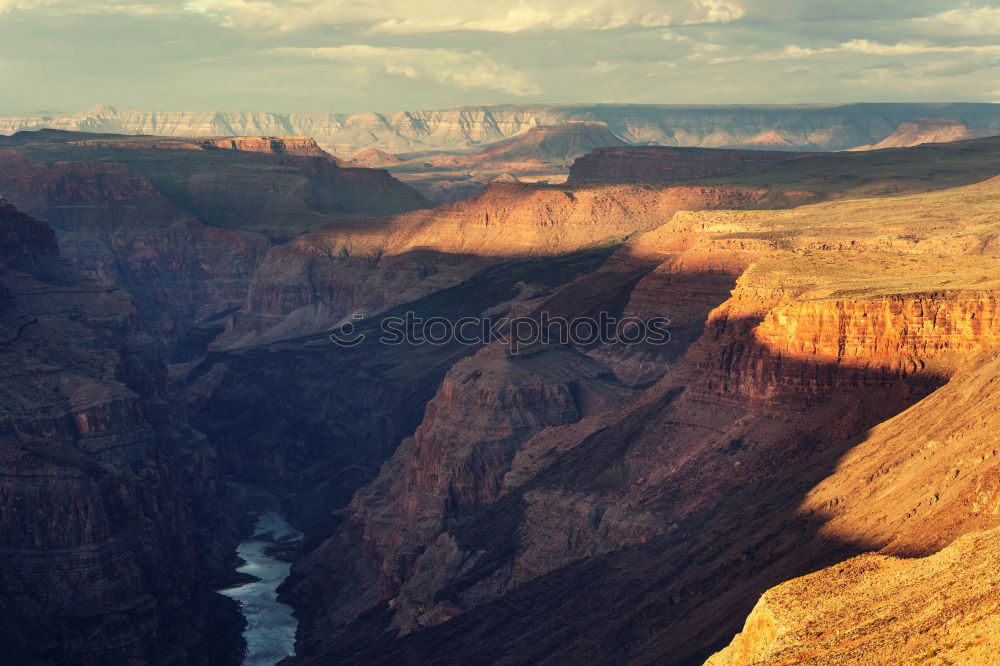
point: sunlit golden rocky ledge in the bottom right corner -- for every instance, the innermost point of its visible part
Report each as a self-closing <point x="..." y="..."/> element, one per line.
<point x="859" y="611"/>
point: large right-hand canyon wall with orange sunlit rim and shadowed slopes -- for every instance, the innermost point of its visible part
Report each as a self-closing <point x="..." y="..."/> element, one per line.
<point x="635" y="517"/>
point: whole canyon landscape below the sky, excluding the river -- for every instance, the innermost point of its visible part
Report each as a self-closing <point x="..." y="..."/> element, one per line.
<point x="810" y="452"/>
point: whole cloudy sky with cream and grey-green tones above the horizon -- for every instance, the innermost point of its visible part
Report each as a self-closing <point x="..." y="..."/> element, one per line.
<point x="384" y="55"/>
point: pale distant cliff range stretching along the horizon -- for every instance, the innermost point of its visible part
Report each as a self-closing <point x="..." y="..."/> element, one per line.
<point x="773" y="127"/>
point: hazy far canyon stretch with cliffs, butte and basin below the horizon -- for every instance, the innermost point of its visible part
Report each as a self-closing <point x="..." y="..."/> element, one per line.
<point x="451" y="154"/>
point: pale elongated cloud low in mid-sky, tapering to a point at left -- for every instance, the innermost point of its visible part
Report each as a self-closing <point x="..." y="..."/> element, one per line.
<point x="463" y="69"/>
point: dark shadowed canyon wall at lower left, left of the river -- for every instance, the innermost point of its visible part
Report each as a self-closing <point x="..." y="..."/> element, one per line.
<point x="108" y="500"/>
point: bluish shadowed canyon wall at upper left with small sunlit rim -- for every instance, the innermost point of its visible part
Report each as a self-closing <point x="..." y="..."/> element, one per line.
<point x="183" y="228"/>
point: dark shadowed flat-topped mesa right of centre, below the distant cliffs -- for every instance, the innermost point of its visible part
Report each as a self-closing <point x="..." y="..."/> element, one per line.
<point x="636" y="164"/>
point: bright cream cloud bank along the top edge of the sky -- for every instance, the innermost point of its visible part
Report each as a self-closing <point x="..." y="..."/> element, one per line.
<point x="432" y="16"/>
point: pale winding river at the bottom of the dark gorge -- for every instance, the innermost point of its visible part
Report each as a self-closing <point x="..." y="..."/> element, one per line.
<point x="271" y="627"/>
